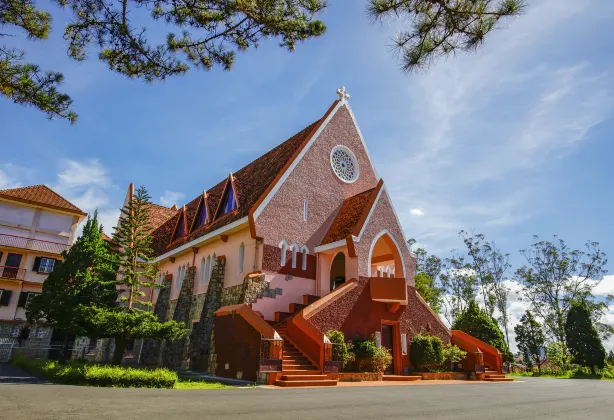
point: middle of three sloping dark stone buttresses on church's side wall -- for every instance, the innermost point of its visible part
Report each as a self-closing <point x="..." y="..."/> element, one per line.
<point x="175" y="352"/>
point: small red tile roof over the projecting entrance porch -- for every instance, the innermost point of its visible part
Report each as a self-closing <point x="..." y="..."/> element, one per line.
<point x="352" y="215"/>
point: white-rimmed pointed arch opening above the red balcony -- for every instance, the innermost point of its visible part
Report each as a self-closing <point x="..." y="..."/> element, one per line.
<point x="385" y="257"/>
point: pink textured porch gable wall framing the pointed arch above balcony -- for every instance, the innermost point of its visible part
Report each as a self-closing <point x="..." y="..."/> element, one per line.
<point x="382" y="218"/>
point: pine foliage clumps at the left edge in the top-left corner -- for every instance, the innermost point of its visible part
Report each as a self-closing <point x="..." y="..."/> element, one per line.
<point x="22" y="82"/>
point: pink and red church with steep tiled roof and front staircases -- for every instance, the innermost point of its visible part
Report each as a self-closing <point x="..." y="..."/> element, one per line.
<point x="301" y="241"/>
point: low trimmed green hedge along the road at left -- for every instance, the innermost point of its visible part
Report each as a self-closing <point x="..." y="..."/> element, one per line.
<point x="78" y="373"/>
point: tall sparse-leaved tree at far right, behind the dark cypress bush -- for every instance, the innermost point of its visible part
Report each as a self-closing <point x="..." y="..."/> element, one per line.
<point x="555" y="276"/>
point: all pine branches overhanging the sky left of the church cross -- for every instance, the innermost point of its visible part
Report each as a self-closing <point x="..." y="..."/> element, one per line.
<point x="210" y="33"/>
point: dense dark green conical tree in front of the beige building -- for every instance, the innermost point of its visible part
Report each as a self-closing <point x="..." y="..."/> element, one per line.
<point x="84" y="279"/>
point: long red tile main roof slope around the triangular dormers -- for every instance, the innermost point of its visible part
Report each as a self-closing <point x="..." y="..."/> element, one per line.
<point x="250" y="183"/>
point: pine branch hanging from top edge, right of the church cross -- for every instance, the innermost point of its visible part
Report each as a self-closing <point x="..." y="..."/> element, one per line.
<point x="438" y="28"/>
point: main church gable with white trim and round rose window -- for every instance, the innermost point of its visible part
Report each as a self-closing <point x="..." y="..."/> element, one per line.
<point x="334" y="165"/>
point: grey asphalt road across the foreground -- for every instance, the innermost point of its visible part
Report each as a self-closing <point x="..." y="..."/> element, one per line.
<point x="534" y="398"/>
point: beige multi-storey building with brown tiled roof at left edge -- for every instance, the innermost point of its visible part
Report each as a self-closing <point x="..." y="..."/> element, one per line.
<point x="36" y="226"/>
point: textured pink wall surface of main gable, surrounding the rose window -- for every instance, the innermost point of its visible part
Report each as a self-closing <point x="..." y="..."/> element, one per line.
<point x="314" y="180"/>
